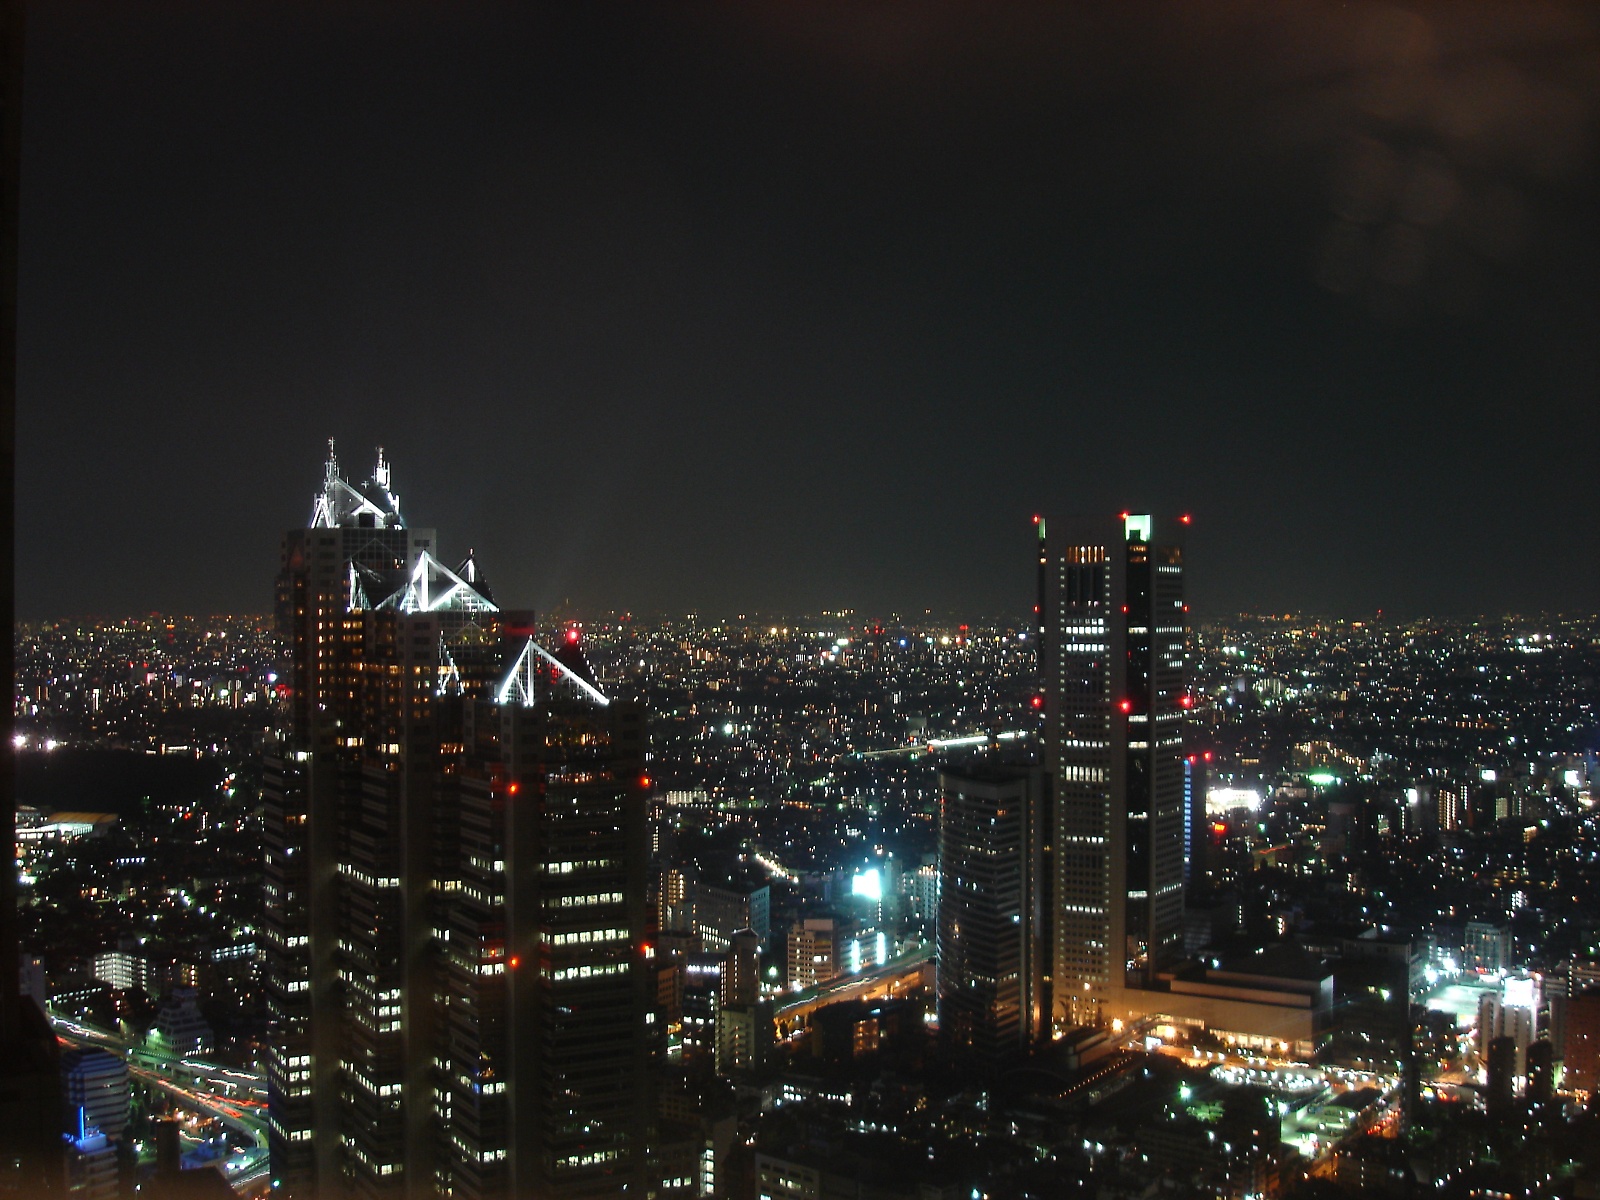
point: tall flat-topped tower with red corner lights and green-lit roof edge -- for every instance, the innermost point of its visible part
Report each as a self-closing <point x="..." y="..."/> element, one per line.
<point x="1113" y="626"/>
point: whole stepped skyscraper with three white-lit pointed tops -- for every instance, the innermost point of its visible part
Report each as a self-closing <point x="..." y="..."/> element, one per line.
<point x="455" y="857"/>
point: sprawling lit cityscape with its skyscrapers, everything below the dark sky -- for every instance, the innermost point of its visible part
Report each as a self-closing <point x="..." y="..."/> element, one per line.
<point x="1393" y="817"/>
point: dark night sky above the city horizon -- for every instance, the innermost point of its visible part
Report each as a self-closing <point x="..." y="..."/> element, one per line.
<point x="796" y="306"/>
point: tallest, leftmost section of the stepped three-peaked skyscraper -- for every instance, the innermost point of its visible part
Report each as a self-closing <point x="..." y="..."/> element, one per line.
<point x="354" y="545"/>
